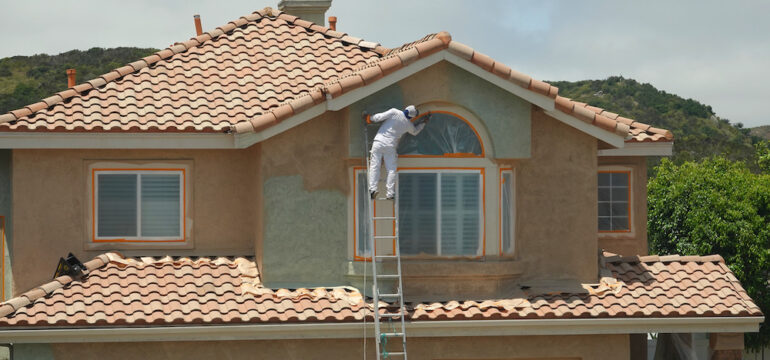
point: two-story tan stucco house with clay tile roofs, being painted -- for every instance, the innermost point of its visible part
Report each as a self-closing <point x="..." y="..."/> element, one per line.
<point x="214" y="193"/>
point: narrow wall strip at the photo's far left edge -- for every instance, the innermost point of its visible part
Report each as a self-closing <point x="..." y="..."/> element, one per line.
<point x="5" y="212"/>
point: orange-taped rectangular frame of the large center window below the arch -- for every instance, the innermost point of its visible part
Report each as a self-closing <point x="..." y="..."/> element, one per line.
<point x="430" y="170"/>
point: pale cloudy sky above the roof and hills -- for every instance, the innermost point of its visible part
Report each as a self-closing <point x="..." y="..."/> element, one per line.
<point x="717" y="52"/>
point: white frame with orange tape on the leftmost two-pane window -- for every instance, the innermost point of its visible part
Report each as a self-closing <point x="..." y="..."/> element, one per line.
<point x="138" y="238"/>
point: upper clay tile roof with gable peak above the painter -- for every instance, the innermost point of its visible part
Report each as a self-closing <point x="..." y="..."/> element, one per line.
<point x="255" y="72"/>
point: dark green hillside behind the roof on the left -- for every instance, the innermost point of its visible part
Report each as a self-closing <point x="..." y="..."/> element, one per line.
<point x="28" y="79"/>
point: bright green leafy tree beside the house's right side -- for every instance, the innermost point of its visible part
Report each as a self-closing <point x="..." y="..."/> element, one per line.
<point x="716" y="207"/>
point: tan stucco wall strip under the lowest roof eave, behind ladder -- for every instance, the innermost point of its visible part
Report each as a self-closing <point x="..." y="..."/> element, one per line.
<point x="586" y="347"/>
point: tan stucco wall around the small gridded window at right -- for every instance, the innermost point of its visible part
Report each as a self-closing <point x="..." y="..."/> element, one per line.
<point x="634" y="243"/>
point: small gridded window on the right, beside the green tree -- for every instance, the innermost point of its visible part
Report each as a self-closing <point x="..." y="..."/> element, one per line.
<point x="614" y="201"/>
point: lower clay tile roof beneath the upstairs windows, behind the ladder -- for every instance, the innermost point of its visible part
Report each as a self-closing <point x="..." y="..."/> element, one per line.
<point x="120" y="291"/>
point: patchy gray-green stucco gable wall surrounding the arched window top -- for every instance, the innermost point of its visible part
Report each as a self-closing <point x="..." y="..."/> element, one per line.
<point x="505" y="117"/>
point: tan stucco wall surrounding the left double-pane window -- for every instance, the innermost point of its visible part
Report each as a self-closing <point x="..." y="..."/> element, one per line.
<point x="51" y="205"/>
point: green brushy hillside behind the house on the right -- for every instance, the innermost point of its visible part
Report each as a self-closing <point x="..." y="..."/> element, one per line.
<point x="698" y="132"/>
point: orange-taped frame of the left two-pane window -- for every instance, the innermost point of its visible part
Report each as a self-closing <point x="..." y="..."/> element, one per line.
<point x="181" y="171"/>
